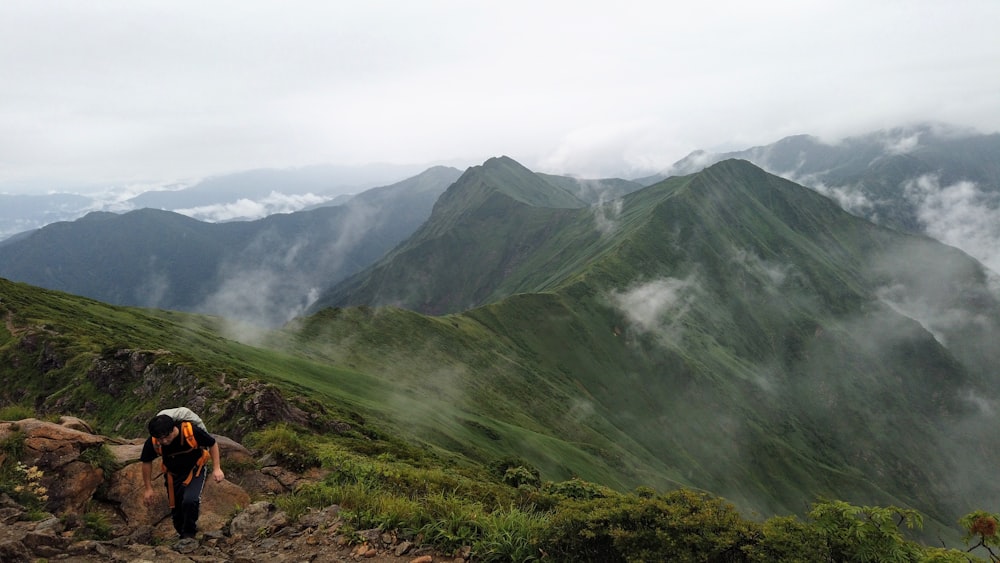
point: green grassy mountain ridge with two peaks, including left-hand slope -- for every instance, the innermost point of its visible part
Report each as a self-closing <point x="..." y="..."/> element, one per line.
<point x="727" y="330"/>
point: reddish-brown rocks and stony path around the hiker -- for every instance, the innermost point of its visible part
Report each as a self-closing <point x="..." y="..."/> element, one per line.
<point x="237" y="521"/>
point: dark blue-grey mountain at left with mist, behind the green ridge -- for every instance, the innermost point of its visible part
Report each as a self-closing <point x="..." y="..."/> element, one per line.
<point x="263" y="271"/>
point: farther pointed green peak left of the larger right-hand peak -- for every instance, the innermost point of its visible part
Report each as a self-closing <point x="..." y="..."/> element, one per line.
<point x="486" y="225"/>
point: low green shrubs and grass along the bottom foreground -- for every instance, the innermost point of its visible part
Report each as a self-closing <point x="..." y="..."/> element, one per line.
<point x="501" y="518"/>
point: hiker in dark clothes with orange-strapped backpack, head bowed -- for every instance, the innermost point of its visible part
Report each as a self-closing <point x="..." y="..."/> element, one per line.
<point x="184" y="448"/>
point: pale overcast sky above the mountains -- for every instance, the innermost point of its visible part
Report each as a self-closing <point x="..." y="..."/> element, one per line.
<point x="131" y="91"/>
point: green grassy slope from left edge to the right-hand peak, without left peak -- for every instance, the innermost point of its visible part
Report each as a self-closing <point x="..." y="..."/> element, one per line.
<point x="767" y="392"/>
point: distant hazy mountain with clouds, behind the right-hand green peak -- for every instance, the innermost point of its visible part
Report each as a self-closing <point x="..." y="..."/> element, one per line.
<point x="889" y="177"/>
